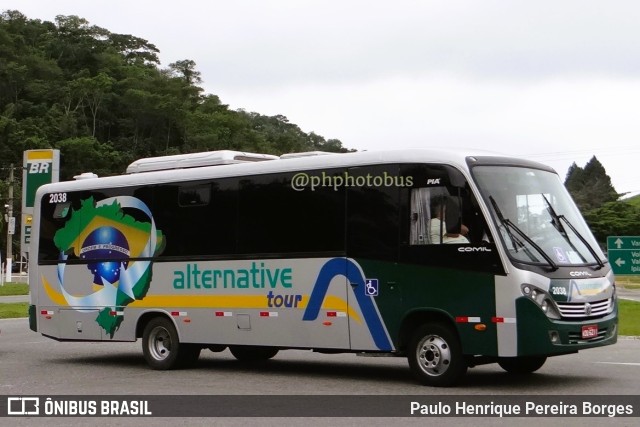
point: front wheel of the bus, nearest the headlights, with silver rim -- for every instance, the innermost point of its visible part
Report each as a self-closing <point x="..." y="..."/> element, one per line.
<point x="435" y="356"/>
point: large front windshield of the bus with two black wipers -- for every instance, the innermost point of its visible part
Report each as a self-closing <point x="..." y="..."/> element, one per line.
<point x="537" y="220"/>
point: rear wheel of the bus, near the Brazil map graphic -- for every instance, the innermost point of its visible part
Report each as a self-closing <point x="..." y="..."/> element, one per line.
<point x="162" y="348"/>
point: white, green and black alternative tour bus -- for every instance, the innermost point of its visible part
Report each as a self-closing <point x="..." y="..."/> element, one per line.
<point x="450" y="259"/>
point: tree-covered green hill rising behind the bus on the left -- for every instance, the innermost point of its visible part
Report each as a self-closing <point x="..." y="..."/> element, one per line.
<point x="103" y="100"/>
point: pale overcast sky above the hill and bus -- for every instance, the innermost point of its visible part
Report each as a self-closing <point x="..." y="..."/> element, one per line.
<point x="554" y="81"/>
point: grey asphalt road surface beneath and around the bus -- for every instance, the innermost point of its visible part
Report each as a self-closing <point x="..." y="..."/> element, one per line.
<point x="32" y="364"/>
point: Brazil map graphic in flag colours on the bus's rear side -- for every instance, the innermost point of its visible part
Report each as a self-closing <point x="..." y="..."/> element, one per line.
<point x="117" y="249"/>
